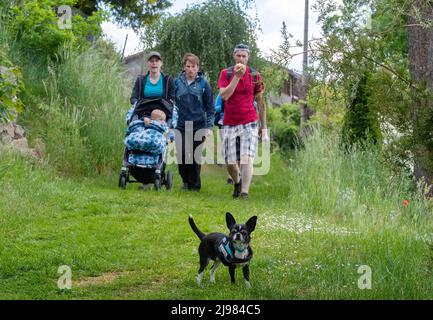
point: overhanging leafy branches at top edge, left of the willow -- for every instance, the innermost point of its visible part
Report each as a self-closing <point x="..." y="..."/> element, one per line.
<point x="132" y="13"/>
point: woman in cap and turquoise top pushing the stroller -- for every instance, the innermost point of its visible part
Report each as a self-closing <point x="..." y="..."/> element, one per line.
<point x="154" y="84"/>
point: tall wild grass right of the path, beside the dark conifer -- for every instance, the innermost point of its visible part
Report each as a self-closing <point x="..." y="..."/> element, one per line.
<point x="354" y="185"/>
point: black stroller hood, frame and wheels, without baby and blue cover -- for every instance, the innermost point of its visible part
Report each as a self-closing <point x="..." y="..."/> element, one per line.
<point x="145" y="173"/>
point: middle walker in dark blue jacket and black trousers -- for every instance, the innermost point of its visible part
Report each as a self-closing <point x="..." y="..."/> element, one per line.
<point x="194" y="102"/>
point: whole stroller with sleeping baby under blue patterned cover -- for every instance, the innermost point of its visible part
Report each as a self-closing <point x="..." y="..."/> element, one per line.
<point x="146" y="143"/>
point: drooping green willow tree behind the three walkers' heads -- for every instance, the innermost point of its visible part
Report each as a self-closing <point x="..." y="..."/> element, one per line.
<point x="210" y="30"/>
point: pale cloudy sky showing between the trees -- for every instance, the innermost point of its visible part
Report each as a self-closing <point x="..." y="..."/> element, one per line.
<point x="271" y="14"/>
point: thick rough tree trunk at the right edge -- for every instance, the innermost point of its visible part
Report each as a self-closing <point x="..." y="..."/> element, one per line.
<point x="420" y="41"/>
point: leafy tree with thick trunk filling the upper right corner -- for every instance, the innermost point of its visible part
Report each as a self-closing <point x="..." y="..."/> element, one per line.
<point x="396" y="42"/>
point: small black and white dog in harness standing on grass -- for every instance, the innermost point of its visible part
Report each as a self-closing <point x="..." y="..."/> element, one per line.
<point x="232" y="251"/>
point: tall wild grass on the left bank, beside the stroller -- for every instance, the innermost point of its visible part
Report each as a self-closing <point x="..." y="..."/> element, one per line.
<point x="78" y="108"/>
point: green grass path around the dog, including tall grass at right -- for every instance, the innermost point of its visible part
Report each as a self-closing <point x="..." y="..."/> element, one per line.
<point x="137" y="244"/>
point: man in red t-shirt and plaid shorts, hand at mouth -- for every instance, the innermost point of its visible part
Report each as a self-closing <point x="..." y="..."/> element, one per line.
<point x="239" y="87"/>
